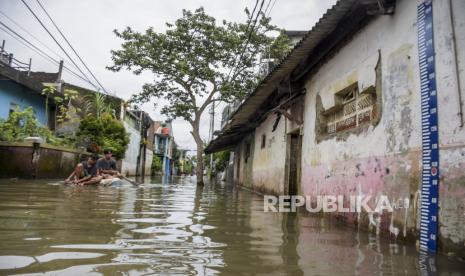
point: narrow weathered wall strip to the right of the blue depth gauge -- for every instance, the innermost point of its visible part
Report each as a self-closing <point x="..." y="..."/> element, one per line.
<point x="451" y="134"/>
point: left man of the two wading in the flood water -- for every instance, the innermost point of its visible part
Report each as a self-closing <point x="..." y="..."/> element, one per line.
<point x="85" y="172"/>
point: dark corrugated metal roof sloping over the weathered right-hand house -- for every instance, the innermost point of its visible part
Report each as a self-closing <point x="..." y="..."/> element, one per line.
<point x="241" y="117"/>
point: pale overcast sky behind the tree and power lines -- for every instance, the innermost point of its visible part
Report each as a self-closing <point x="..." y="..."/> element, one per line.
<point x="88" y="25"/>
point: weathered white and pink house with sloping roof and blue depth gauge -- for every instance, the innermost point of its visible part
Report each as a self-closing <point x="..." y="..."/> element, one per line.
<point x="369" y="102"/>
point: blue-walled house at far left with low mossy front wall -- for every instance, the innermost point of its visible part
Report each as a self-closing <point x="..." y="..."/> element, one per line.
<point x="21" y="88"/>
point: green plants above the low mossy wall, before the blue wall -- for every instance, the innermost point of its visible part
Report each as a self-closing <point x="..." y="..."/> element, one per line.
<point x="22" y="124"/>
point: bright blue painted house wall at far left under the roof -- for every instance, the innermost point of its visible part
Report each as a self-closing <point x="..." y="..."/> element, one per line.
<point x="13" y="93"/>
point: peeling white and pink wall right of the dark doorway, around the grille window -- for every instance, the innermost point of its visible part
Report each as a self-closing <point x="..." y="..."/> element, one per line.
<point x="384" y="158"/>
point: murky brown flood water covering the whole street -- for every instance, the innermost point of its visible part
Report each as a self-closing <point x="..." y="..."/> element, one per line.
<point x="171" y="227"/>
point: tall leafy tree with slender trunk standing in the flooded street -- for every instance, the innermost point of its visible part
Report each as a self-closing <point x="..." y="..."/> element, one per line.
<point x="197" y="61"/>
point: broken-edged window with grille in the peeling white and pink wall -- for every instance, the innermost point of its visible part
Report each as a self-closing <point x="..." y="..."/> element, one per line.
<point x="352" y="110"/>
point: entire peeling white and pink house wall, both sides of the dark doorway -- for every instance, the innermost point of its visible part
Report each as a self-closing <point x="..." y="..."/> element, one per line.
<point x="382" y="158"/>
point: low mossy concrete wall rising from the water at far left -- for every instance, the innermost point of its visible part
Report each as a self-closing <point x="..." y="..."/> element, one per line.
<point x="23" y="161"/>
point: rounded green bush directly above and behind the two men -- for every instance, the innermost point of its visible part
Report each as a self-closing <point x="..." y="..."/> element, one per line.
<point x="101" y="133"/>
